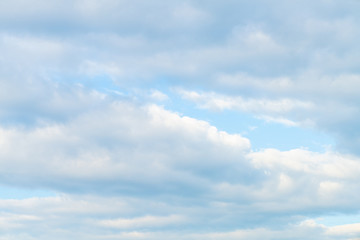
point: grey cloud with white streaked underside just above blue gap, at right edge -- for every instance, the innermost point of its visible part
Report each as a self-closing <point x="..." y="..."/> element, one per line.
<point x="285" y="103"/>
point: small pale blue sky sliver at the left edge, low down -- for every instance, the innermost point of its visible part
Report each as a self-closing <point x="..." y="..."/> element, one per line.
<point x="11" y="192"/>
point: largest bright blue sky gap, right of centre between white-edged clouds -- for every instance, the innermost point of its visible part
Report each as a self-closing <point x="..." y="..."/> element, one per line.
<point x="261" y="133"/>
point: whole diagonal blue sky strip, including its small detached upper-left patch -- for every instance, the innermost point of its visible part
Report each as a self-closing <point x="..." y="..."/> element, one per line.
<point x="261" y="133"/>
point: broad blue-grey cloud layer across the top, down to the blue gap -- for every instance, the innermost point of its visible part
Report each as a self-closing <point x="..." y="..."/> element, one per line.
<point x="258" y="57"/>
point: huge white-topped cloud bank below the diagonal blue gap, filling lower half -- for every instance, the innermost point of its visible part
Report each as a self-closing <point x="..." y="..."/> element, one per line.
<point x="173" y="171"/>
